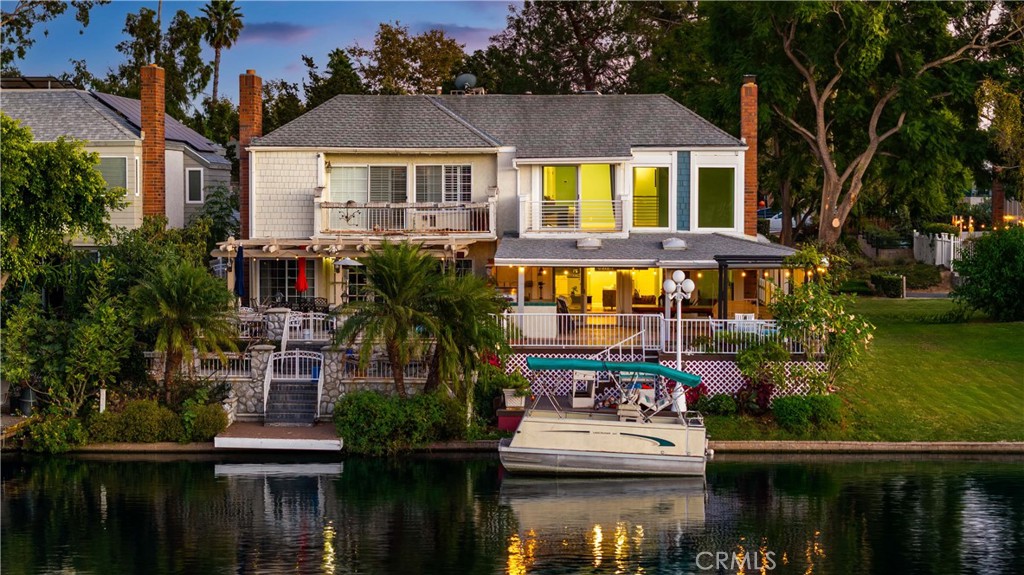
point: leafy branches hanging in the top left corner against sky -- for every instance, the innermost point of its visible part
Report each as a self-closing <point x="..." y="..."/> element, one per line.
<point x="19" y="22"/>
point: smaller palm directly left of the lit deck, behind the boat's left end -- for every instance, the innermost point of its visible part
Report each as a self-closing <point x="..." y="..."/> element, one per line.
<point x="468" y="309"/>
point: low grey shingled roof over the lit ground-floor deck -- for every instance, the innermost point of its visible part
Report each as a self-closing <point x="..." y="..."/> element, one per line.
<point x="677" y="251"/>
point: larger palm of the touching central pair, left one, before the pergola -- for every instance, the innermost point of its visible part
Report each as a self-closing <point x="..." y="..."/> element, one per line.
<point x="396" y="315"/>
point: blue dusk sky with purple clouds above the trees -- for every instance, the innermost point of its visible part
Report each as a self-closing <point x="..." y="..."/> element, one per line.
<point x="276" y="34"/>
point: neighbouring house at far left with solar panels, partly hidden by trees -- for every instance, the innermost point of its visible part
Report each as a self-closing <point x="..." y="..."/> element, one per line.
<point x="135" y="140"/>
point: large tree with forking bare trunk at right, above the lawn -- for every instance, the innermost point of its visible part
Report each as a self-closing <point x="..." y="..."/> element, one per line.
<point x="847" y="76"/>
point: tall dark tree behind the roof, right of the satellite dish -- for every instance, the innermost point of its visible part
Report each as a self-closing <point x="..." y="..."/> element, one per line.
<point x="566" y="48"/>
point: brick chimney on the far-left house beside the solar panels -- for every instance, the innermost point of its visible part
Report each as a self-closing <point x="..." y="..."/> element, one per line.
<point x="154" y="176"/>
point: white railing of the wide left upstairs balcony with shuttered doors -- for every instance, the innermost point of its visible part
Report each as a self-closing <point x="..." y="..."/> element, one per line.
<point x="409" y="218"/>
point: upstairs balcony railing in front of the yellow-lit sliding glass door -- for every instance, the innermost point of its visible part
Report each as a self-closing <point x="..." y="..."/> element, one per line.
<point x="572" y="216"/>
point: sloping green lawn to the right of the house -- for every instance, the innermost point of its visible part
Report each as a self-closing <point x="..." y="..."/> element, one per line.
<point x="921" y="381"/>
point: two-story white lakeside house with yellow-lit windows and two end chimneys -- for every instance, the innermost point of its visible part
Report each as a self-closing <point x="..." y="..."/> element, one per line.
<point x="581" y="203"/>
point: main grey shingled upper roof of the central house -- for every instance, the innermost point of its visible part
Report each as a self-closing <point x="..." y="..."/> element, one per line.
<point x="539" y="126"/>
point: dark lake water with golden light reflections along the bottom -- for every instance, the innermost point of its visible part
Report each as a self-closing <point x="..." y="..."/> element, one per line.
<point x="458" y="515"/>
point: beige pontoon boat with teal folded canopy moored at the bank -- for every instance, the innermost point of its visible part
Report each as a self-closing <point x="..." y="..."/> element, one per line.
<point x="644" y="428"/>
